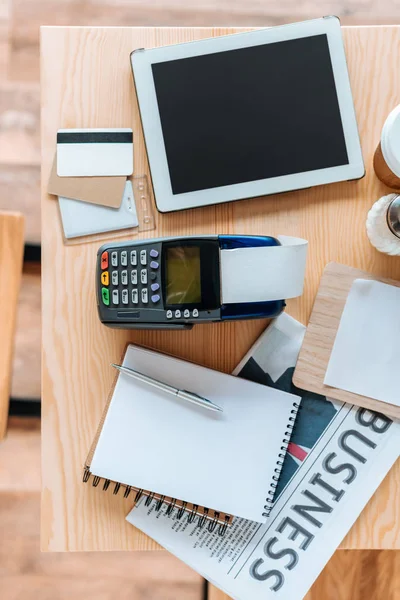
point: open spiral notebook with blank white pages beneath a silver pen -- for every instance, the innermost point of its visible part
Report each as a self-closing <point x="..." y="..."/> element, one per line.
<point x="208" y="464"/>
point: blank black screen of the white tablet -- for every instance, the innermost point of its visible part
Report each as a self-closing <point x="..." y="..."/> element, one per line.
<point x="249" y="114"/>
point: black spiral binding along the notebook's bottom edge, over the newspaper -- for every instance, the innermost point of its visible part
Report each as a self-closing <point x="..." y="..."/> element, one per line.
<point x="215" y="520"/>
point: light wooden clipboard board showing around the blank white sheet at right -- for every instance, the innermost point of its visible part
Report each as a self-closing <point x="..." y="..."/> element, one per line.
<point x="319" y="387"/>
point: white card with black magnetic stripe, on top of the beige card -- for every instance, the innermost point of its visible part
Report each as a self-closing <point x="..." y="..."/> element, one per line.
<point x="94" y="152"/>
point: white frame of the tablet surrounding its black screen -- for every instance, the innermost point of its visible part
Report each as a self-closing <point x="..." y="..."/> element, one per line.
<point x="141" y="61"/>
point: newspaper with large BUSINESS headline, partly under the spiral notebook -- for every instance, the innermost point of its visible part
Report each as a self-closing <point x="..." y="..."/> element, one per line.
<point x="337" y="457"/>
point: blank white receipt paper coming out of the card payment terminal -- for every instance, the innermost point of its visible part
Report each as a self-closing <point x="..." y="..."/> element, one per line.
<point x="264" y="273"/>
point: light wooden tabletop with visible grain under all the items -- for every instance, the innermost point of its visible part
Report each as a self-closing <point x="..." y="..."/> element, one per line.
<point x="86" y="82"/>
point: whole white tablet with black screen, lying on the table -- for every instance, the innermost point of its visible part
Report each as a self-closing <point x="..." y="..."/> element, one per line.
<point x="248" y="114"/>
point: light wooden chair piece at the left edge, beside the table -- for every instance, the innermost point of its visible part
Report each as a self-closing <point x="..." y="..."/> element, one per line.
<point x="11" y="258"/>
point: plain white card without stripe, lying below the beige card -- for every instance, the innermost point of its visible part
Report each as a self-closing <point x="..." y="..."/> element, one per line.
<point x="81" y="218"/>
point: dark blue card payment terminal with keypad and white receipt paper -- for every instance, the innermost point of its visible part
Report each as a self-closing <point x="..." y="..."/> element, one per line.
<point x="173" y="283"/>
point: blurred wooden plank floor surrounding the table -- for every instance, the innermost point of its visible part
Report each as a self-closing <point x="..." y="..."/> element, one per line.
<point x="24" y="572"/>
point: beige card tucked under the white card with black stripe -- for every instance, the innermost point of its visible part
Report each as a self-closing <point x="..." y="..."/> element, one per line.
<point x="104" y="191"/>
